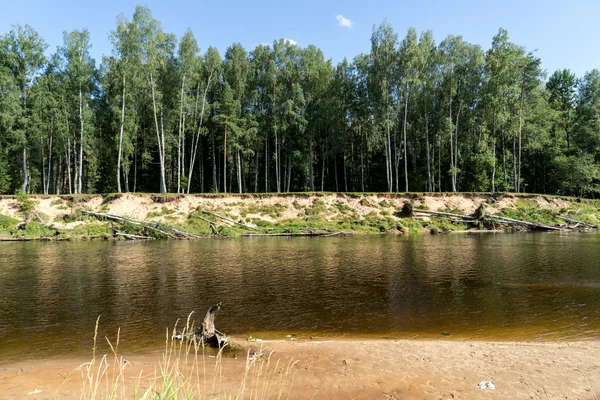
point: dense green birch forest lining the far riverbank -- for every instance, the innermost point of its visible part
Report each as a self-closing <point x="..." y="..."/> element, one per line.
<point x="159" y="115"/>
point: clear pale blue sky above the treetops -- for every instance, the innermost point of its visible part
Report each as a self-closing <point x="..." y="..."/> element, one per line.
<point x="565" y="34"/>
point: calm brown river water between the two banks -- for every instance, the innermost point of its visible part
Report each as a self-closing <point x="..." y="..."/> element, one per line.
<point x="481" y="286"/>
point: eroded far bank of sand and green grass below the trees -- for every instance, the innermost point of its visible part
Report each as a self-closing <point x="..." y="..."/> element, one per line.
<point x="281" y="213"/>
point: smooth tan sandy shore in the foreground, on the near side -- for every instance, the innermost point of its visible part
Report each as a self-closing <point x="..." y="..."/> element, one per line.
<point x="358" y="369"/>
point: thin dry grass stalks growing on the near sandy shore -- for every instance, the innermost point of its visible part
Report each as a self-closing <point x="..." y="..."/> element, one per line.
<point x="186" y="370"/>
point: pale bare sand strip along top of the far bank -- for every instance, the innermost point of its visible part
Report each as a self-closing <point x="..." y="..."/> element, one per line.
<point x="147" y="207"/>
